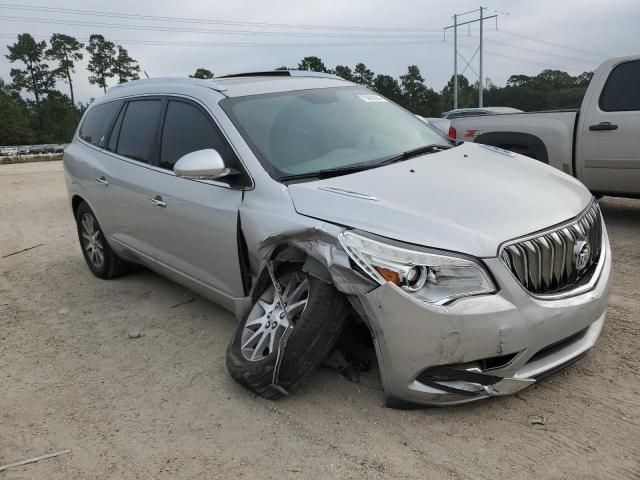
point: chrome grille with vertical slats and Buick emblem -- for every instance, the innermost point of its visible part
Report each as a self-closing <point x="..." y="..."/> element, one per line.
<point x="560" y="259"/>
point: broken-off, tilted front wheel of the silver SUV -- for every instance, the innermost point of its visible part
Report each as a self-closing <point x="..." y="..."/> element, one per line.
<point x="318" y="312"/>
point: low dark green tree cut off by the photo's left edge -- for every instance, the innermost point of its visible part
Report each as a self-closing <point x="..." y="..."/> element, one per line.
<point x="15" y="125"/>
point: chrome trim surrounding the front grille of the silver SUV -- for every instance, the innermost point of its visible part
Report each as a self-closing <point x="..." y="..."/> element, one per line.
<point x="568" y="293"/>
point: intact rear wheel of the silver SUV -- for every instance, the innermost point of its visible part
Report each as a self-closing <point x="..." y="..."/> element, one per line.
<point x="102" y="261"/>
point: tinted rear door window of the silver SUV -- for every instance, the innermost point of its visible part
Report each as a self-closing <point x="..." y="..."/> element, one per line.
<point x="138" y="130"/>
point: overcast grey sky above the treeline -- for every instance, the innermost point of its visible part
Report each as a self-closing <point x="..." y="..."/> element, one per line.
<point x="572" y="35"/>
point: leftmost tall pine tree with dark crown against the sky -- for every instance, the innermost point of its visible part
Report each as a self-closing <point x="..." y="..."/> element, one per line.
<point x="36" y="77"/>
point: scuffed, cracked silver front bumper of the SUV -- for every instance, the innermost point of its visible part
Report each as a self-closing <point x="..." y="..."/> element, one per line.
<point x="480" y="346"/>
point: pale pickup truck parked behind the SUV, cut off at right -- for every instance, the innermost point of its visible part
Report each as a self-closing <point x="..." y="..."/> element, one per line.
<point x="599" y="144"/>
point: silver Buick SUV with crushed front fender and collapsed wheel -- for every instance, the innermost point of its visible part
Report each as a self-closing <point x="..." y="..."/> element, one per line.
<point x="300" y="201"/>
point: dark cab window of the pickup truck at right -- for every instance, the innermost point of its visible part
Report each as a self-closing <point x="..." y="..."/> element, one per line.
<point x="622" y="90"/>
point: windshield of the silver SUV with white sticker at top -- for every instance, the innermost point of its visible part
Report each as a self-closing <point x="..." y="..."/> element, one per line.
<point x="300" y="132"/>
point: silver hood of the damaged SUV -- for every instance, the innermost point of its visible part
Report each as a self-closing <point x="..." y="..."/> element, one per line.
<point x="468" y="199"/>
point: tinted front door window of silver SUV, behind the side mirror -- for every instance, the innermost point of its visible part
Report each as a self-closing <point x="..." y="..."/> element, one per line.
<point x="188" y="129"/>
